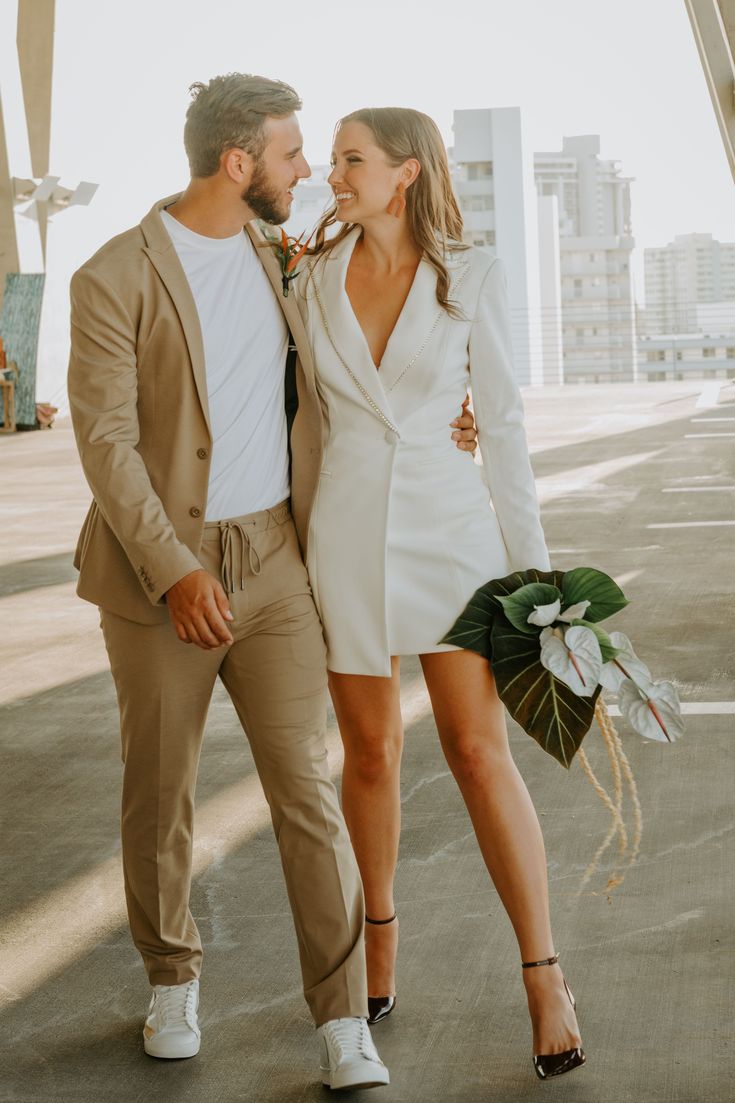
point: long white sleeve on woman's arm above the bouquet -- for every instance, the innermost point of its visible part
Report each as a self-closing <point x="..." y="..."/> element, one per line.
<point x="499" y="412"/>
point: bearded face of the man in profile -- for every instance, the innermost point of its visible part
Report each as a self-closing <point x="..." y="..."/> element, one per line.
<point x="282" y="165"/>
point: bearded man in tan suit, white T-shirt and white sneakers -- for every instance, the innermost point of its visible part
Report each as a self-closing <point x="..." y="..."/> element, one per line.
<point x="180" y="333"/>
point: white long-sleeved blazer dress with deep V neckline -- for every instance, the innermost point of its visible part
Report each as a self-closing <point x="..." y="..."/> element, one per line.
<point x="406" y="527"/>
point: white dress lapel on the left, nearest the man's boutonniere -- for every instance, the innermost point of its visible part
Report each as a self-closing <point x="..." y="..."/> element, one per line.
<point x="342" y="325"/>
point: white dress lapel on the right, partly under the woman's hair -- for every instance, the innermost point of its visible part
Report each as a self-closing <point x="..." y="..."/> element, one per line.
<point x="419" y="322"/>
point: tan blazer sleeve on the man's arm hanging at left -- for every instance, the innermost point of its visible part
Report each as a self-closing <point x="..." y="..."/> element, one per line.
<point x="103" y="391"/>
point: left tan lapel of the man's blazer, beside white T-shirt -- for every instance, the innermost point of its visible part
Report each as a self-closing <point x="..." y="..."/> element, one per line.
<point x="166" y="262"/>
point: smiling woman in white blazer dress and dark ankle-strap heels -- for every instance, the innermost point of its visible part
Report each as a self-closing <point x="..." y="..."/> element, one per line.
<point x="402" y="319"/>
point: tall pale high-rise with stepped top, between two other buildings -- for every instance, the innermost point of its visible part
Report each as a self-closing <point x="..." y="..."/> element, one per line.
<point x="595" y="242"/>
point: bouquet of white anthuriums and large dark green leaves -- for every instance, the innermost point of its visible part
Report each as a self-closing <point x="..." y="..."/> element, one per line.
<point x="551" y="660"/>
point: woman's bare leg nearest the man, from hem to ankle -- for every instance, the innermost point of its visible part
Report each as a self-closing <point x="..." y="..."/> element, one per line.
<point x="369" y="715"/>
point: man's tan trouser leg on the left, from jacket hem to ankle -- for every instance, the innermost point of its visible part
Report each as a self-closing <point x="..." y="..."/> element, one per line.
<point x="164" y="690"/>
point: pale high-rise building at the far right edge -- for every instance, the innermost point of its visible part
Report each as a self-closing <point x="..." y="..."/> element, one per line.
<point x="690" y="286"/>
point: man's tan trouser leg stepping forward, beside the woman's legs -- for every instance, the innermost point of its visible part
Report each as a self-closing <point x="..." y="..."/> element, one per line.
<point x="276" y="676"/>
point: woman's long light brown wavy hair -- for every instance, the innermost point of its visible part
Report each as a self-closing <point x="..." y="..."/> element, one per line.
<point x="434" y="217"/>
